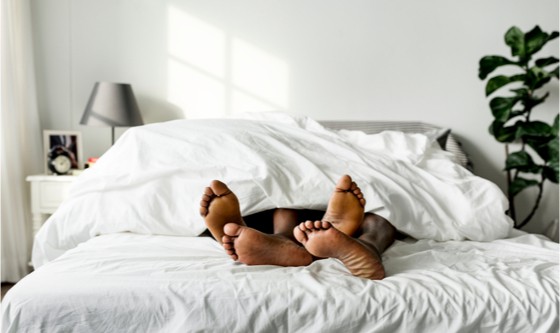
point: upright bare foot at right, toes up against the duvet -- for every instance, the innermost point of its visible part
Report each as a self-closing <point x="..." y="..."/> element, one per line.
<point x="346" y="206"/>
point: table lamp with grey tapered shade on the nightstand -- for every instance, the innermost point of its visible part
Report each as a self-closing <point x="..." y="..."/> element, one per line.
<point x="112" y="104"/>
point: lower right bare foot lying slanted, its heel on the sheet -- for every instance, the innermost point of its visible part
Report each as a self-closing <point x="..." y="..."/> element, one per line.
<point x="322" y="240"/>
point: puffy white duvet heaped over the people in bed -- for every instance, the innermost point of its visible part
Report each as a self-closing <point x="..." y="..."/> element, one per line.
<point x="151" y="180"/>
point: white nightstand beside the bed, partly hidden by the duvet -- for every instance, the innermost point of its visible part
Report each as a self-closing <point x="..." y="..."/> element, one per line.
<point x="47" y="192"/>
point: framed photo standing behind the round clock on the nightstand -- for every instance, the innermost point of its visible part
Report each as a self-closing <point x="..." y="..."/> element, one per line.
<point x="69" y="141"/>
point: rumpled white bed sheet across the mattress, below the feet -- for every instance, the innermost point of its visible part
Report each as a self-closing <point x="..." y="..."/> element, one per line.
<point x="143" y="283"/>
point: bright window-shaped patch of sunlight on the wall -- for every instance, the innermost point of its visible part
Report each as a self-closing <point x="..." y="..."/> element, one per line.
<point x="214" y="74"/>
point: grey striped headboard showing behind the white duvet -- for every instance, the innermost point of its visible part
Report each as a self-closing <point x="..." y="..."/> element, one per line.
<point x="445" y="138"/>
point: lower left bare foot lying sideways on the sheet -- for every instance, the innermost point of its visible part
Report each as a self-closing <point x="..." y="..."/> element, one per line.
<point x="252" y="247"/>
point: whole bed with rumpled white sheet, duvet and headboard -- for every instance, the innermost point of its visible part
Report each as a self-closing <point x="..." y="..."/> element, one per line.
<point x="124" y="252"/>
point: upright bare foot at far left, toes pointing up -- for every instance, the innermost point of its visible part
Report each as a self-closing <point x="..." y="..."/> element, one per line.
<point x="219" y="206"/>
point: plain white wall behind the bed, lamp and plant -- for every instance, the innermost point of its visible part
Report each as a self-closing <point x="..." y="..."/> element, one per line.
<point x="328" y="59"/>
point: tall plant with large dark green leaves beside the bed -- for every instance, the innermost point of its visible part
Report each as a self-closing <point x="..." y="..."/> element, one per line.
<point x="536" y="161"/>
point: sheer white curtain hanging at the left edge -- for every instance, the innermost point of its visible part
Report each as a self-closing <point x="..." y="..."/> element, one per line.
<point x="20" y="137"/>
